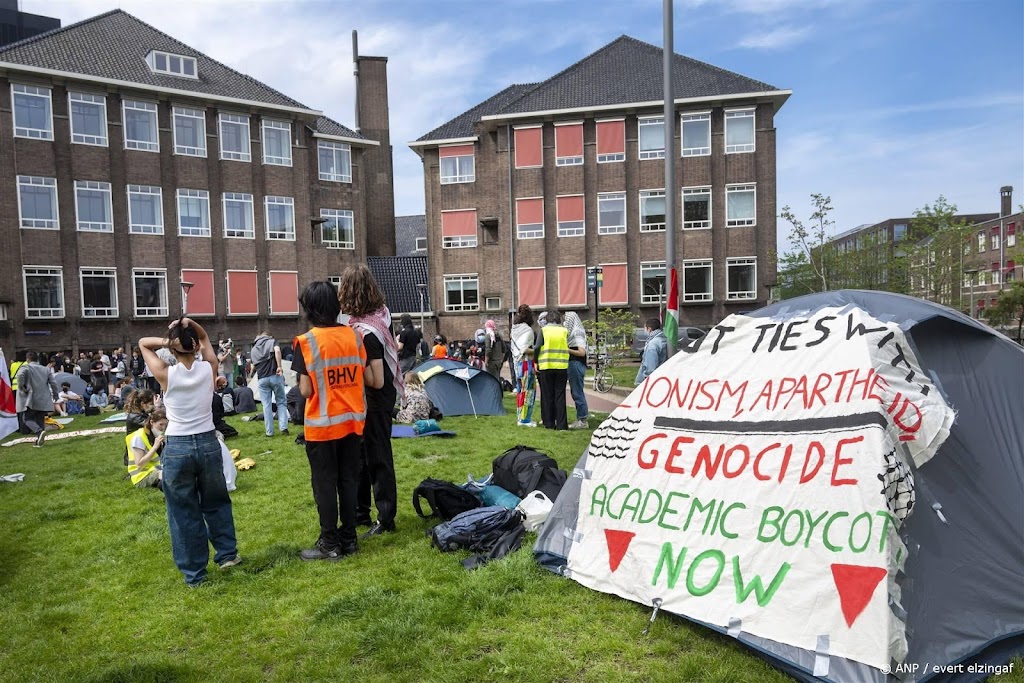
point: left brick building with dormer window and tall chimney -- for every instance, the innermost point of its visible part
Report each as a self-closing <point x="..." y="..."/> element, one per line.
<point x="133" y="163"/>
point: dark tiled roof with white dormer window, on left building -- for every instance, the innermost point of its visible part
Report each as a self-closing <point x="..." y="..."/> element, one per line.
<point x="114" y="47"/>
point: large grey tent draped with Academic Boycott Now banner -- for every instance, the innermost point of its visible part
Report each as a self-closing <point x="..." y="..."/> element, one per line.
<point x="935" y="394"/>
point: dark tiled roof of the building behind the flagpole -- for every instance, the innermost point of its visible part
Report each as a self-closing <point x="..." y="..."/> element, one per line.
<point x="625" y="72"/>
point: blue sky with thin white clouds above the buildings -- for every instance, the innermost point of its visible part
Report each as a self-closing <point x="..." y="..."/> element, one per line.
<point x="894" y="103"/>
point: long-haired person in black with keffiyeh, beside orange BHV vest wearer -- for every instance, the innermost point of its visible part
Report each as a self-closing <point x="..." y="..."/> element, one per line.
<point x="364" y="302"/>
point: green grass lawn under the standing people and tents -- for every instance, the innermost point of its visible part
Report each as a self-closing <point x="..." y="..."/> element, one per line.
<point x="91" y="592"/>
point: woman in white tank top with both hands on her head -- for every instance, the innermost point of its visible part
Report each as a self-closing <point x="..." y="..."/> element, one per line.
<point x="199" y="509"/>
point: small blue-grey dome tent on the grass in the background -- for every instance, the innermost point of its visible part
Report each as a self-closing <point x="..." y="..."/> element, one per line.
<point x="455" y="389"/>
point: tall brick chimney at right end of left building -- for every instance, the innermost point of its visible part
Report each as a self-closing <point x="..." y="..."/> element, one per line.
<point x="373" y="122"/>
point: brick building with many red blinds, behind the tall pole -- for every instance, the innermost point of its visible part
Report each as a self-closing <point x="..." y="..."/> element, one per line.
<point x="530" y="188"/>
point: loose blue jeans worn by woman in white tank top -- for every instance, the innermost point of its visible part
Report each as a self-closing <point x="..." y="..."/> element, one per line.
<point x="199" y="508"/>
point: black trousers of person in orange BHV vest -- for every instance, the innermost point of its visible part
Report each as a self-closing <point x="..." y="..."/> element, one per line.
<point x="334" y="474"/>
